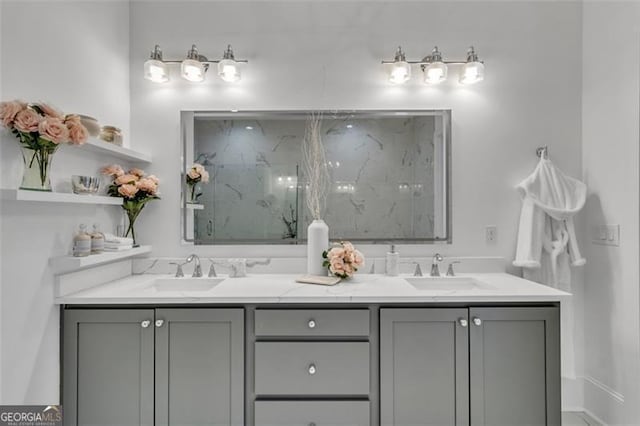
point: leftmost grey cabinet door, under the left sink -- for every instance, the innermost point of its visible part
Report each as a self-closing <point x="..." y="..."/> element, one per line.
<point x="108" y="367"/>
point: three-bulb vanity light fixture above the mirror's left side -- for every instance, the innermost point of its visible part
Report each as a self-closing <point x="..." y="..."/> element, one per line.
<point x="194" y="67"/>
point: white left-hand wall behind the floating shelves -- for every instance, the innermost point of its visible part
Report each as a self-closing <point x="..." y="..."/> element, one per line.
<point x="74" y="55"/>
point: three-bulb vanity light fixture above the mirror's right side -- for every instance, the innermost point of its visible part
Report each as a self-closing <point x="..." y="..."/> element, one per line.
<point x="435" y="69"/>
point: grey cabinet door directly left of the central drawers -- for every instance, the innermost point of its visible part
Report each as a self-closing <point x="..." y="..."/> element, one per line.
<point x="199" y="367"/>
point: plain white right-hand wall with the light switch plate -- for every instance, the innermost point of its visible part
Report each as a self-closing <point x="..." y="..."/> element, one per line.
<point x="610" y="123"/>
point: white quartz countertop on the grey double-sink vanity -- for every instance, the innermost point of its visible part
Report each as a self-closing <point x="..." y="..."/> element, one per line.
<point x="282" y="288"/>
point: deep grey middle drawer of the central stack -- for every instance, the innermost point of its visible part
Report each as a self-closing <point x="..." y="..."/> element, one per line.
<point x="312" y="368"/>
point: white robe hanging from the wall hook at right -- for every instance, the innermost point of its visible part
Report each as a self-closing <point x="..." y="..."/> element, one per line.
<point x="547" y="240"/>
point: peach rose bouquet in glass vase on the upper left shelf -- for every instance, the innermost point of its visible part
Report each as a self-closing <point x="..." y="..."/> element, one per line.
<point x="40" y="130"/>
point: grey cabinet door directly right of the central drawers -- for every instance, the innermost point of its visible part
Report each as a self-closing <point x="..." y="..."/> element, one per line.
<point x="424" y="367"/>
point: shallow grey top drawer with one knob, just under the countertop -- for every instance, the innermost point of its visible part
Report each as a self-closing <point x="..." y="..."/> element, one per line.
<point x="312" y="322"/>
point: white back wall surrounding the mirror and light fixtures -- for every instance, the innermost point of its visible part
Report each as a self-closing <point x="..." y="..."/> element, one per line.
<point x="326" y="55"/>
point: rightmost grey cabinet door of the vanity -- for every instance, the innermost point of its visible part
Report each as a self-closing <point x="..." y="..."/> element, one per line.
<point x="515" y="366"/>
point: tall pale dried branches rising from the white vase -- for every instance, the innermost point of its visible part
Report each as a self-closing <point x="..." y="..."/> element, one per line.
<point x="314" y="163"/>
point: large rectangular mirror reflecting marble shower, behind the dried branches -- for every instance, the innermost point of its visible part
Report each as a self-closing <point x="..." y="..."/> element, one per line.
<point x="389" y="176"/>
